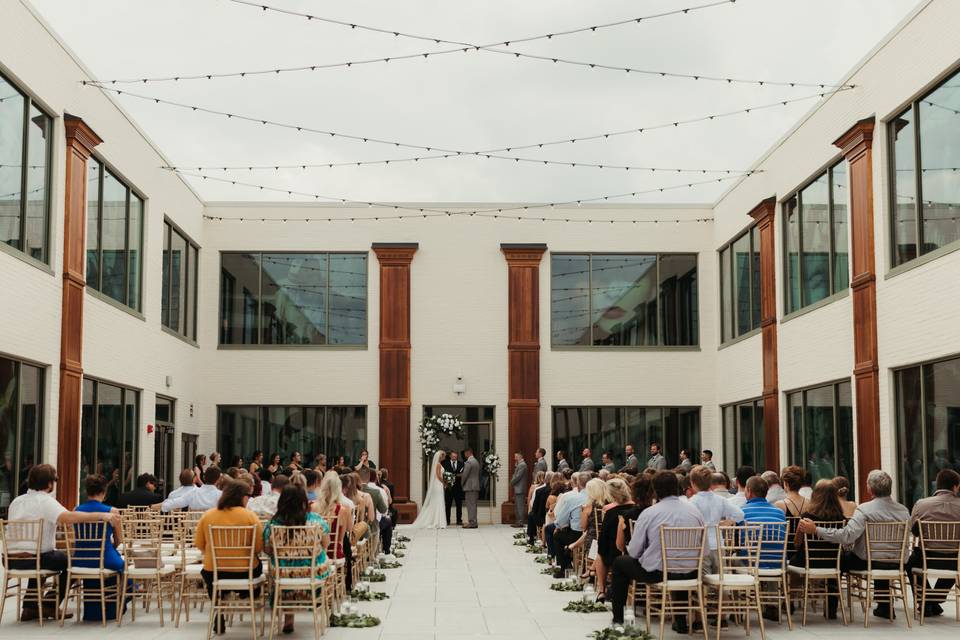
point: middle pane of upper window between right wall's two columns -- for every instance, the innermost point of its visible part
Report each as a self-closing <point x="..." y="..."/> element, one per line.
<point x="815" y="233"/>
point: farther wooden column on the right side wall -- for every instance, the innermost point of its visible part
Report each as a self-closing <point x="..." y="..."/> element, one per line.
<point x="765" y="215"/>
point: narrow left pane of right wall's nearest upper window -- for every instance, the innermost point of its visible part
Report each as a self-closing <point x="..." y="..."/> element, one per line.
<point x="904" y="189"/>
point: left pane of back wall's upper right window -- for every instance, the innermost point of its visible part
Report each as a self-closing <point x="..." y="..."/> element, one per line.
<point x="570" y="300"/>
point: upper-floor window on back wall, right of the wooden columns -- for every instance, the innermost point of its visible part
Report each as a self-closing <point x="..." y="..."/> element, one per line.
<point x="624" y="300"/>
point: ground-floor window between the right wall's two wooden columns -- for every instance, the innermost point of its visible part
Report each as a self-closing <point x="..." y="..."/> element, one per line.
<point x="821" y="431"/>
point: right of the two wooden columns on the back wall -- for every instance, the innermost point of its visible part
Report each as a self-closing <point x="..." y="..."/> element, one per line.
<point x="523" y="352"/>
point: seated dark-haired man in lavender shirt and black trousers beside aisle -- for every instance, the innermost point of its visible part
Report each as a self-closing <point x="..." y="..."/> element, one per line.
<point x="644" y="562"/>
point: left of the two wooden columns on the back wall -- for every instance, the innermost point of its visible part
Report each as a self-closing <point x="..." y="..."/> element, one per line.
<point x="395" y="259"/>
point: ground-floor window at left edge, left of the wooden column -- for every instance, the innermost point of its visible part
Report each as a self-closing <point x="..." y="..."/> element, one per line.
<point x="21" y="426"/>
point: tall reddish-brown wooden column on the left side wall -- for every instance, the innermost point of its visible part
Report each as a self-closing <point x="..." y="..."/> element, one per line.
<point x="80" y="143"/>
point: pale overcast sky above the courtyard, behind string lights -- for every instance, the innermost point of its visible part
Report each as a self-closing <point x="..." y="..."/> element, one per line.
<point x="476" y="100"/>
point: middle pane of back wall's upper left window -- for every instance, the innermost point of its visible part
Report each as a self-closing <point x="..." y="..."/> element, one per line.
<point x="294" y="298"/>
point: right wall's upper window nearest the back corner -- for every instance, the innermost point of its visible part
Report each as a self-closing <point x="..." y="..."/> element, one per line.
<point x="740" y="285"/>
